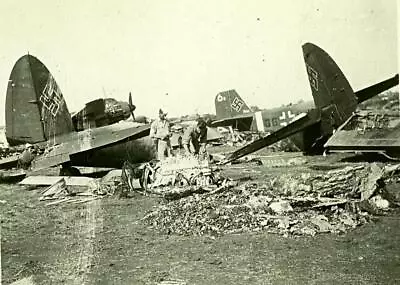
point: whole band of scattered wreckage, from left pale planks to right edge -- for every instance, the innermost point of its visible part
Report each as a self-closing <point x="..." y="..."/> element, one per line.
<point x="200" y="199"/>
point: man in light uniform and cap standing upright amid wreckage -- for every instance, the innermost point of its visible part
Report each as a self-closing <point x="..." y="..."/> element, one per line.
<point x="160" y="133"/>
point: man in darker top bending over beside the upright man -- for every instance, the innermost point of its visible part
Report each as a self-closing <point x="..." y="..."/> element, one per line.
<point x="197" y="136"/>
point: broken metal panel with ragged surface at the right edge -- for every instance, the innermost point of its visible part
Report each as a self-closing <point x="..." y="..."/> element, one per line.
<point x="368" y="131"/>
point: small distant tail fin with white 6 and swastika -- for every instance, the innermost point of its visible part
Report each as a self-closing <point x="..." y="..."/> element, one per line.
<point x="229" y="104"/>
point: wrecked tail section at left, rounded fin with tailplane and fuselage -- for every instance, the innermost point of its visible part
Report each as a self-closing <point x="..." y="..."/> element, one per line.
<point x="36" y="113"/>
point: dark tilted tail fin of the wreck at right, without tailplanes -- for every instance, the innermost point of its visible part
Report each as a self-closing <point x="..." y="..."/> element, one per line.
<point x="330" y="88"/>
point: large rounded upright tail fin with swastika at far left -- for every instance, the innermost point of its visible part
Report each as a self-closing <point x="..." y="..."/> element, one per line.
<point x="35" y="107"/>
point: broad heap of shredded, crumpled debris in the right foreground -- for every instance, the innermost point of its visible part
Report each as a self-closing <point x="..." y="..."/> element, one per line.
<point x="297" y="204"/>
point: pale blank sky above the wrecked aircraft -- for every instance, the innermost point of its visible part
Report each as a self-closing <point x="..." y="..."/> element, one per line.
<point x="191" y="50"/>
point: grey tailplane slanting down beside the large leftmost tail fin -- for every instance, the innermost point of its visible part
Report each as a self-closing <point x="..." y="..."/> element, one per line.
<point x="89" y="139"/>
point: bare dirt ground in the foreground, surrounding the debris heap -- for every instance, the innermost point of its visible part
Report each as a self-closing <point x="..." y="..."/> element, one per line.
<point x="106" y="242"/>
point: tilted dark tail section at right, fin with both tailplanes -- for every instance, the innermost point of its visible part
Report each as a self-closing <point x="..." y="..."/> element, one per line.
<point x="334" y="99"/>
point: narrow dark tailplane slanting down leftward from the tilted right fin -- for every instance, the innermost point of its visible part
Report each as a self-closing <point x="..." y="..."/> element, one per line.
<point x="302" y="122"/>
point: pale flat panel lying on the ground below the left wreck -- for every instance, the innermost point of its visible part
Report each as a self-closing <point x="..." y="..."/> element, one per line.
<point x="50" y="180"/>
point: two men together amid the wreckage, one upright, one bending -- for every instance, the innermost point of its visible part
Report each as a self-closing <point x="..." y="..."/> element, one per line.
<point x="194" y="139"/>
